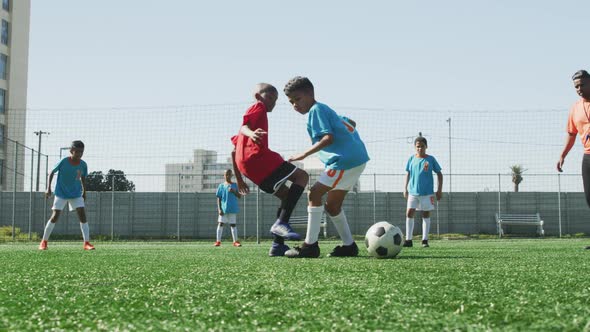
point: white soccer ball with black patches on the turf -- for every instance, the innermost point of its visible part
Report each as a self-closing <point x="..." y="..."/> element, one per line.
<point x="384" y="240"/>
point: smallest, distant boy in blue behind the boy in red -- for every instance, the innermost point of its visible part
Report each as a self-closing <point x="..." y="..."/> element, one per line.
<point x="227" y="208"/>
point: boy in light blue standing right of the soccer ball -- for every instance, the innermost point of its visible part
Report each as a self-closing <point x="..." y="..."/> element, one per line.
<point x="419" y="189"/>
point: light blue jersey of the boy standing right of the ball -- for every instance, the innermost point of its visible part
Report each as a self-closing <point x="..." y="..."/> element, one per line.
<point x="421" y="181"/>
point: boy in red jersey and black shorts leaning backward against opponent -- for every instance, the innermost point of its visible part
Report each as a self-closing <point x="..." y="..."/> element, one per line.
<point x="266" y="168"/>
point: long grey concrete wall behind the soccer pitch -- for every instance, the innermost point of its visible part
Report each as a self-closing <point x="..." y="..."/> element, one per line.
<point x="194" y="215"/>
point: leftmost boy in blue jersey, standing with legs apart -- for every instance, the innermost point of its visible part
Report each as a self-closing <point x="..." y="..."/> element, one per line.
<point x="69" y="189"/>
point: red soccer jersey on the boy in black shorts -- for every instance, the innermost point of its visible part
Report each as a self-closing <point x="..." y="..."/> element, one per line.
<point x="256" y="161"/>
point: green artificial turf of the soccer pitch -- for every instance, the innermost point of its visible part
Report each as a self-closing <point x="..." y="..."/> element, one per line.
<point x="522" y="284"/>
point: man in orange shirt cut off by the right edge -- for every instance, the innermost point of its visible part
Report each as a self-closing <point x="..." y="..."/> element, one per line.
<point x="578" y="122"/>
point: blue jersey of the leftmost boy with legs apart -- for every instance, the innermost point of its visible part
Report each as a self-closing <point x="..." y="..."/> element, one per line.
<point x="68" y="183"/>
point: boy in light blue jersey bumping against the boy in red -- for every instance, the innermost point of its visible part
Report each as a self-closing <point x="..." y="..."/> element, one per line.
<point x="344" y="155"/>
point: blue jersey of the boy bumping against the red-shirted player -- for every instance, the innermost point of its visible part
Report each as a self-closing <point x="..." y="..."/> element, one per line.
<point x="347" y="150"/>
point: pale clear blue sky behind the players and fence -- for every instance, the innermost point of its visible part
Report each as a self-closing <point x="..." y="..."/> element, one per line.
<point x="440" y="56"/>
